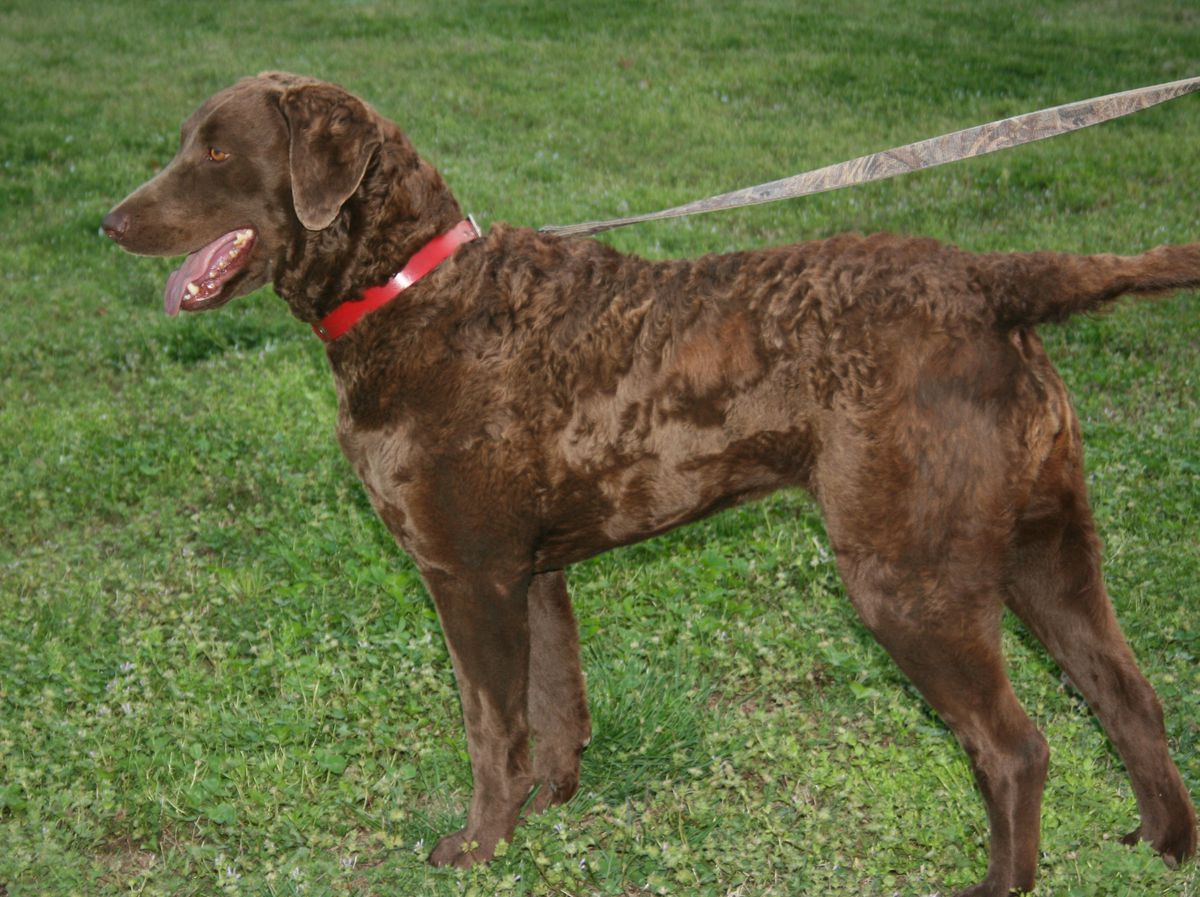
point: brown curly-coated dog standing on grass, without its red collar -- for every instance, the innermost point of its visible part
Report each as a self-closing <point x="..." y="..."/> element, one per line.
<point x="535" y="401"/>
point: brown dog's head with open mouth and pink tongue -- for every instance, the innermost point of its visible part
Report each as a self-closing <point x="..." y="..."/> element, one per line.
<point x="259" y="162"/>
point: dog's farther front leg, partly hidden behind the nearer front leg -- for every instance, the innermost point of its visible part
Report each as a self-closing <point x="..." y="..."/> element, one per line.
<point x="559" y="706"/>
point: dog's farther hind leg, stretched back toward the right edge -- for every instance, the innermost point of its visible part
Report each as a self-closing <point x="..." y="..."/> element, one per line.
<point x="1057" y="588"/>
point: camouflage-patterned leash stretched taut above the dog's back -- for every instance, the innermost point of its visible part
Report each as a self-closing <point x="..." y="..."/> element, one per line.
<point x="934" y="152"/>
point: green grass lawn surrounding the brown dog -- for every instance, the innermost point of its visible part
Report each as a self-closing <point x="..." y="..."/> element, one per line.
<point x="219" y="676"/>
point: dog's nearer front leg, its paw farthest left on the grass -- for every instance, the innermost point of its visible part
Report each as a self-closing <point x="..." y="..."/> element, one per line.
<point x="487" y="624"/>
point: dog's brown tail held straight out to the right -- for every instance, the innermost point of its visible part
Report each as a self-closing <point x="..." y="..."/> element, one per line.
<point x="1034" y="288"/>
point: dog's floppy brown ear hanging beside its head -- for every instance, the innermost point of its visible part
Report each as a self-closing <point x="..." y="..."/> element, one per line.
<point x="333" y="137"/>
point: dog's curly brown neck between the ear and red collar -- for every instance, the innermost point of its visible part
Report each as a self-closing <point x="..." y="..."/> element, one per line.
<point x="401" y="204"/>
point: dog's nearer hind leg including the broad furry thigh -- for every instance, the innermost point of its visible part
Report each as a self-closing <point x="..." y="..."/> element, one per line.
<point x="919" y="514"/>
